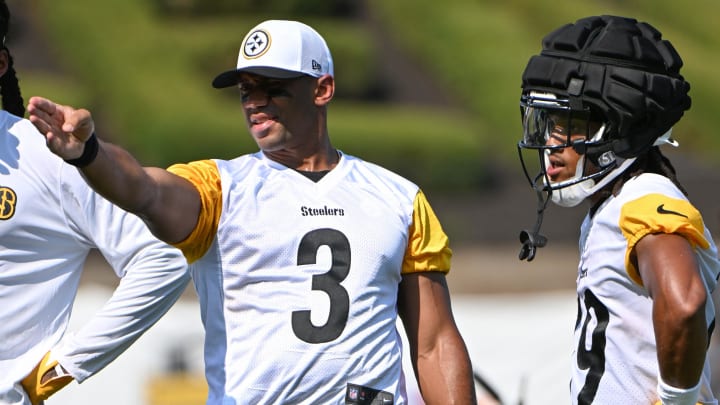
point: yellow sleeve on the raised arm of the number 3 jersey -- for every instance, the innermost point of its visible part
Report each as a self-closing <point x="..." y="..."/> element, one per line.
<point x="204" y="175"/>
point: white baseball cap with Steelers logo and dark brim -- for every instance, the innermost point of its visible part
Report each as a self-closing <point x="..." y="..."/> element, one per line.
<point x="280" y="49"/>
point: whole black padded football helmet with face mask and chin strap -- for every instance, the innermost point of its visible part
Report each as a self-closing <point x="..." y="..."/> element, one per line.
<point x="615" y="77"/>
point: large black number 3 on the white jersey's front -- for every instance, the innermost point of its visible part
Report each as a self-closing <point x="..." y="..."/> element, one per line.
<point x="328" y="282"/>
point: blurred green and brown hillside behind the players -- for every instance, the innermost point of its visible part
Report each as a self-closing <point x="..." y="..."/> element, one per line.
<point x="427" y="89"/>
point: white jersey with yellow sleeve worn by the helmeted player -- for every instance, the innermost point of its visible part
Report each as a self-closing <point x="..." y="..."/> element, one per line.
<point x="615" y="360"/>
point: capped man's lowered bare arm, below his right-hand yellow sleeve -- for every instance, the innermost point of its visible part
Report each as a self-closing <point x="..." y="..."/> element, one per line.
<point x="438" y="352"/>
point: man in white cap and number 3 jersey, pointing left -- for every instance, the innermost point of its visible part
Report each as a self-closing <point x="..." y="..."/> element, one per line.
<point x="303" y="256"/>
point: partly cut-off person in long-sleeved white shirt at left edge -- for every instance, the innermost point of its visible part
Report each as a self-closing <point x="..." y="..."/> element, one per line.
<point x="49" y="221"/>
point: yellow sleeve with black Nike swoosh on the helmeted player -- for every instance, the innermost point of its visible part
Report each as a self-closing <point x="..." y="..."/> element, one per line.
<point x="657" y="213"/>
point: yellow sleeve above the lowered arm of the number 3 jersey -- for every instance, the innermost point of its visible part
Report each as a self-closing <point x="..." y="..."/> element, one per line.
<point x="428" y="248"/>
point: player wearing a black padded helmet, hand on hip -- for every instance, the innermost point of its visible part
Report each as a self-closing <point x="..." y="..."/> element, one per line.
<point x="597" y="103"/>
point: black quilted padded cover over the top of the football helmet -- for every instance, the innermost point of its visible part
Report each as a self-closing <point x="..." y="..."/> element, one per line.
<point x="620" y="69"/>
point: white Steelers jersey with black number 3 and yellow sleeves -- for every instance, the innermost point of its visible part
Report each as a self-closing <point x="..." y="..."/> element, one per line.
<point x="299" y="289"/>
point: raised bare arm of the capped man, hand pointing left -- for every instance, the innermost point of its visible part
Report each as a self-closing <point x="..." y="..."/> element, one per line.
<point x="168" y="204"/>
